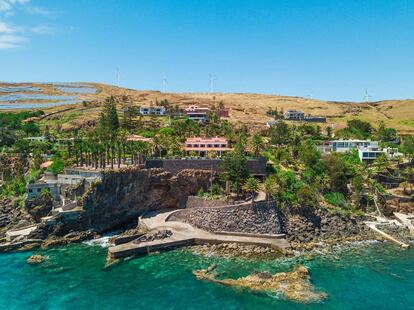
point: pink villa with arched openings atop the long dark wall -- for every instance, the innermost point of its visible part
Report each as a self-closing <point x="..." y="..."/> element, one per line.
<point x="202" y="146"/>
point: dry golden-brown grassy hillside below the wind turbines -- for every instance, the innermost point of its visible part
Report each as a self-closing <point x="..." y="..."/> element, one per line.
<point x="246" y="108"/>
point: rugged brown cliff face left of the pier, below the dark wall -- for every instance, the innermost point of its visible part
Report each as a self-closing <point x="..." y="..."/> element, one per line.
<point x="124" y="195"/>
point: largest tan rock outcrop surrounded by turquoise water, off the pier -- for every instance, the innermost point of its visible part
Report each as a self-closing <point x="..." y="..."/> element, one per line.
<point x="295" y="285"/>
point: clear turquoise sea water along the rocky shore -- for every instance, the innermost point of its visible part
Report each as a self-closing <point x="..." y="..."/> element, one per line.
<point x="378" y="277"/>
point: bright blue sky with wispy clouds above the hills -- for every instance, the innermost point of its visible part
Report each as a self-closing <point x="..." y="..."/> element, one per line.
<point x="331" y="50"/>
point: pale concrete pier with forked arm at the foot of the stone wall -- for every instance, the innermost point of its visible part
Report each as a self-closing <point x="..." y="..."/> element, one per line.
<point x="185" y="235"/>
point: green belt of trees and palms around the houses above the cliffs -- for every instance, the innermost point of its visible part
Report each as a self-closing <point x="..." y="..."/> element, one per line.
<point x="299" y="175"/>
